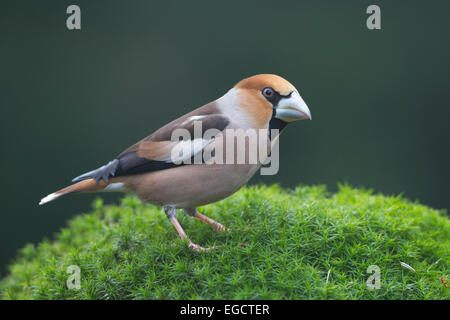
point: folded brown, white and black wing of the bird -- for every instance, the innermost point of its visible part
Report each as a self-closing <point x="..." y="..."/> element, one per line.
<point x="154" y="152"/>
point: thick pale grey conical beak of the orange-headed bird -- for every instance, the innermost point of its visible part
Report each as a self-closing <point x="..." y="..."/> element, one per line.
<point x="292" y="108"/>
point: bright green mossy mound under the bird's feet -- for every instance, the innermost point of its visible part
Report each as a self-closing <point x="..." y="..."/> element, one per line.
<point x="291" y="238"/>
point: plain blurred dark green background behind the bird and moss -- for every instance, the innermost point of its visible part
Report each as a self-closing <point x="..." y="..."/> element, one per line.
<point x="72" y="100"/>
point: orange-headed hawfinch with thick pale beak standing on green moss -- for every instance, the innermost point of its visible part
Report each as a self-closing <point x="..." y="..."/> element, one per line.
<point x="174" y="180"/>
